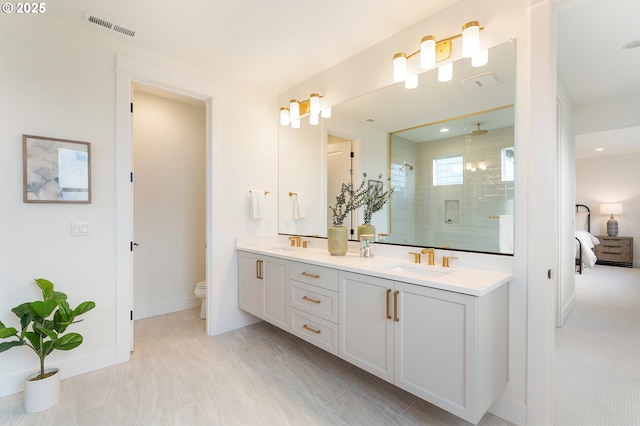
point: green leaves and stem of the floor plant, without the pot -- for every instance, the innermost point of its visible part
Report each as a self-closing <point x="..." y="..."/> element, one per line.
<point x="42" y="323"/>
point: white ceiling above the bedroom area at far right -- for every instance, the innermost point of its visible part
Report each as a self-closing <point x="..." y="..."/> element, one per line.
<point x="594" y="67"/>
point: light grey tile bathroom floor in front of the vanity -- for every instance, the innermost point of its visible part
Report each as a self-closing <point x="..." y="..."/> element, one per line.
<point x="257" y="375"/>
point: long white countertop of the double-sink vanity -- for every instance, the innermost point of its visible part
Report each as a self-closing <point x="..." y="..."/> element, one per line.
<point x="471" y="281"/>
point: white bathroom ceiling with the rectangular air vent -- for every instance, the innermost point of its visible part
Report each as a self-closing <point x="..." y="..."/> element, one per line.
<point x="274" y="44"/>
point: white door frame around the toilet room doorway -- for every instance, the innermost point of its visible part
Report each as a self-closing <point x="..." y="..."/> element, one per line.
<point x="130" y="71"/>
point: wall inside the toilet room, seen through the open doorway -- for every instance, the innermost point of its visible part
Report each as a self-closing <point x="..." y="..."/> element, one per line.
<point x="169" y="139"/>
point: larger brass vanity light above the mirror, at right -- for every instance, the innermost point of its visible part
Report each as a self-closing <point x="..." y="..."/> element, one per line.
<point x="432" y="52"/>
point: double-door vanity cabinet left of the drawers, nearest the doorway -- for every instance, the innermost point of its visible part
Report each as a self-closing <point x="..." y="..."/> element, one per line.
<point x="263" y="284"/>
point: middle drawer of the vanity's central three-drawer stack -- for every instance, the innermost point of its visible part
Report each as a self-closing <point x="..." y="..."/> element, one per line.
<point x="314" y="300"/>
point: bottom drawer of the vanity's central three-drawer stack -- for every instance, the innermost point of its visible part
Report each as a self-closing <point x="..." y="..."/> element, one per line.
<point x="317" y="331"/>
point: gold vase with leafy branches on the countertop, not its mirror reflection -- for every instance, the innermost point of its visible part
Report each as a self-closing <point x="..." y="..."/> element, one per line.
<point x="349" y="199"/>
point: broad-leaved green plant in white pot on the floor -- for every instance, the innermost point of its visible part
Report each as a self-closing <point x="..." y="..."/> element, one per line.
<point x="42" y="324"/>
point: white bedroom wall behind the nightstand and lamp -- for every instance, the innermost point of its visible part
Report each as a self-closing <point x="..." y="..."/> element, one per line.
<point x="607" y="180"/>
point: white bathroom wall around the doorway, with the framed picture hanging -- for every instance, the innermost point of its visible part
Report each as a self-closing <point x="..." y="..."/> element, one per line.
<point x="58" y="80"/>
